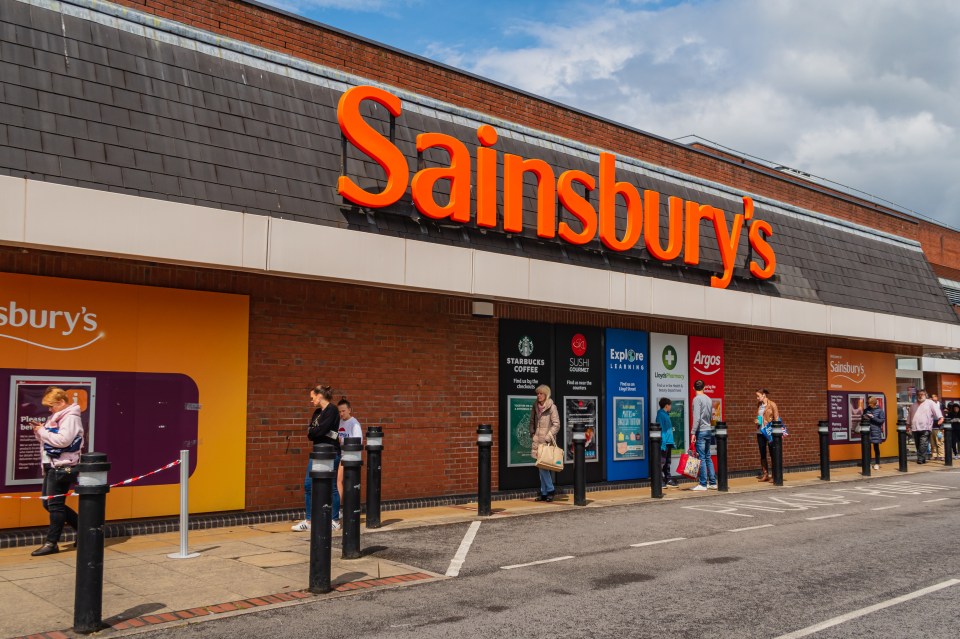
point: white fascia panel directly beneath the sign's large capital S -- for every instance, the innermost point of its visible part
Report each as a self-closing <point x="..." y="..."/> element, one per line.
<point x="325" y="251"/>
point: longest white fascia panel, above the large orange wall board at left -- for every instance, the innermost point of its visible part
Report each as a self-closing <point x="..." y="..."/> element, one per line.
<point x="101" y="222"/>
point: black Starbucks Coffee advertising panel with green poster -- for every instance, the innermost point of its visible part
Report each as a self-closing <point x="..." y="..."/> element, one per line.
<point x="525" y="362"/>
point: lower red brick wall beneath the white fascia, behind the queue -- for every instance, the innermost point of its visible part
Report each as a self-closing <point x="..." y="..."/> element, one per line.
<point x="424" y="369"/>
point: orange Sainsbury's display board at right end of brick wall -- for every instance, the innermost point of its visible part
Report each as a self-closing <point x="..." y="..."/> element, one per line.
<point x="853" y="378"/>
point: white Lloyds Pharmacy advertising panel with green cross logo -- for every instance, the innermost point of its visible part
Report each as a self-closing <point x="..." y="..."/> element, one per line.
<point x="669" y="378"/>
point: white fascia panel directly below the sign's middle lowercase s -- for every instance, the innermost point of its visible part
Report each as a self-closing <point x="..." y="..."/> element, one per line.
<point x="569" y="285"/>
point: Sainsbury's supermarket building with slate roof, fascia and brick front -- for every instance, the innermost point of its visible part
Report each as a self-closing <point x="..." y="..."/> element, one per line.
<point x="245" y="223"/>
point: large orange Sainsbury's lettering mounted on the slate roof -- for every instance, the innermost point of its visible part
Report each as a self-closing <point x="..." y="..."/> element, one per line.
<point x="683" y="234"/>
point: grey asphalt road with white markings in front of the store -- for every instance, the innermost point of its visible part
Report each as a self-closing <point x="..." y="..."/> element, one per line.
<point x="758" y="565"/>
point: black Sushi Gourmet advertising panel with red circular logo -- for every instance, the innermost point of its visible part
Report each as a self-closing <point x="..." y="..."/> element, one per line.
<point x="579" y="361"/>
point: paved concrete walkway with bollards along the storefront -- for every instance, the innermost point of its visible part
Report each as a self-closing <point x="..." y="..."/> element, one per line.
<point x="261" y="566"/>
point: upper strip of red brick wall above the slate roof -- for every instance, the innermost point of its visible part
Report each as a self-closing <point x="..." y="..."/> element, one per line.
<point x="262" y="27"/>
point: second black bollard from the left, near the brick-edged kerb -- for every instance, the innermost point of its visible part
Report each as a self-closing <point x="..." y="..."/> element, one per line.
<point x="322" y="476"/>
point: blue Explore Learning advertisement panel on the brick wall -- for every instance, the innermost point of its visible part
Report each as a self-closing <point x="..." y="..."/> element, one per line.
<point x="627" y="404"/>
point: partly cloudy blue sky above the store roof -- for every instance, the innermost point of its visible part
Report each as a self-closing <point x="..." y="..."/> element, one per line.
<point x="865" y="93"/>
